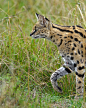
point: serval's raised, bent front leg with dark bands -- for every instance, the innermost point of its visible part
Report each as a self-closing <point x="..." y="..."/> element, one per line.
<point x="64" y="70"/>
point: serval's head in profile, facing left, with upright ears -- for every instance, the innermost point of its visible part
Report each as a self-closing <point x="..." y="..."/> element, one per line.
<point x="42" y="28"/>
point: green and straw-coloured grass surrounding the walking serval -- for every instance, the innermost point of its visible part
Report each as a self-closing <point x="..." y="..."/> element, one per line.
<point x="27" y="64"/>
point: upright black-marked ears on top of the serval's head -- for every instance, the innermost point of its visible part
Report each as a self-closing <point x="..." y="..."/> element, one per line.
<point x="44" y="21"/>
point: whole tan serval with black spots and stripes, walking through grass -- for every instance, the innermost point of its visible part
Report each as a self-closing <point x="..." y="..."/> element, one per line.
<point x="71" y="43"/>
